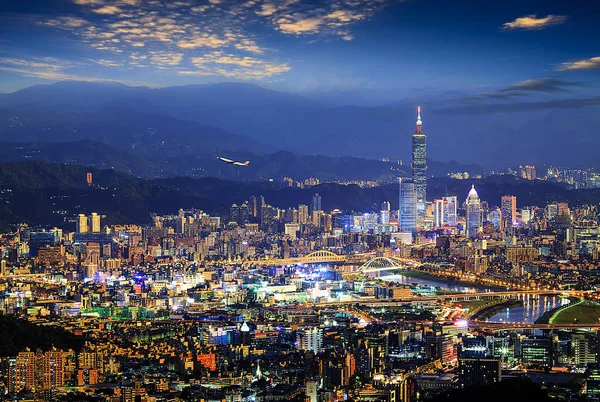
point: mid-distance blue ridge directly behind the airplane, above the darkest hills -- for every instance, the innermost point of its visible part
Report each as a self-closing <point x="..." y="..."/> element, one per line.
<point x="262" y="167"/>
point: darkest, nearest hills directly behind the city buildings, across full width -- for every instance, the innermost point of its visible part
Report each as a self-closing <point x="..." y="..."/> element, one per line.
<point x="52" y="194"/>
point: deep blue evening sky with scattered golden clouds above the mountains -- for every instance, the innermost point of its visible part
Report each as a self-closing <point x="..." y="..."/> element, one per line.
<point x="533" y="50"/>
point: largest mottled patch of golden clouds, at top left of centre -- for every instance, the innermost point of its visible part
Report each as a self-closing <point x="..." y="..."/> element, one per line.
<point x="205" y="37"/>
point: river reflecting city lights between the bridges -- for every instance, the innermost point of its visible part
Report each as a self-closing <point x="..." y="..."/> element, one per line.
<point x="533" y="306"/>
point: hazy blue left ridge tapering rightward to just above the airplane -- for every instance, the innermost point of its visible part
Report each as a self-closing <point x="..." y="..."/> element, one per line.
<point x="144" y="133"/>
